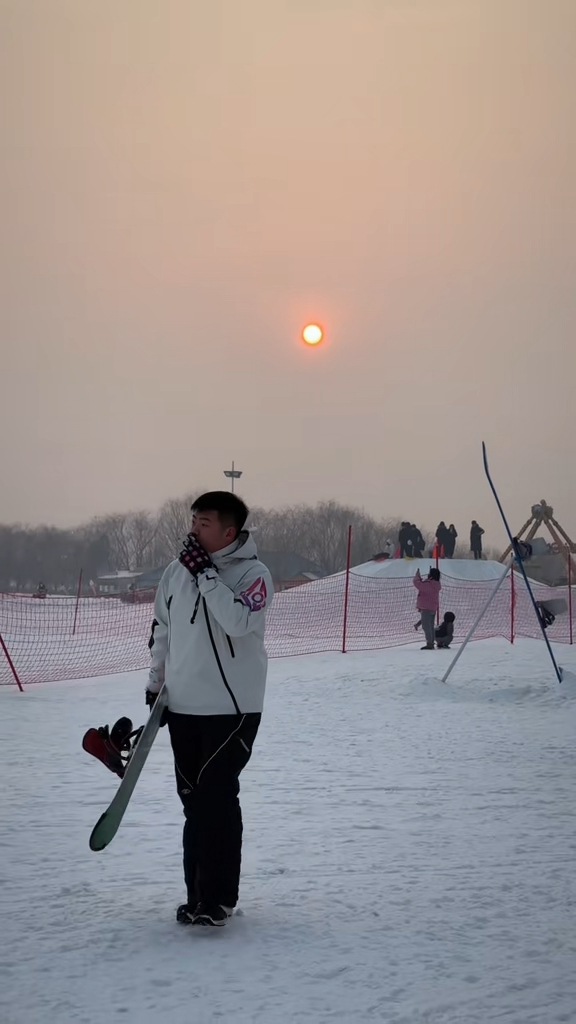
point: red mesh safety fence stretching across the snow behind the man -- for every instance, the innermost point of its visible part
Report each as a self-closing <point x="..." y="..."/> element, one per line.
<point x="55" y="639"/>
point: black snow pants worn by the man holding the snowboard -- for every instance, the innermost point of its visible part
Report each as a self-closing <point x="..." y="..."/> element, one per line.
<point x="211" y="751"/>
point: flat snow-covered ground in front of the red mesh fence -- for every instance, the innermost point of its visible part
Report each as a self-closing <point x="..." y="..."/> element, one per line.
<point x="410" y="854"/>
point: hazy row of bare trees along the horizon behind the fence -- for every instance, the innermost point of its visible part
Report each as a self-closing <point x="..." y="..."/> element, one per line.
<point x="145" y="540"/>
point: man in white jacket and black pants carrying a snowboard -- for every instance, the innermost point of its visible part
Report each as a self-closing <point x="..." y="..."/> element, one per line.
<point x="208" y="645"/>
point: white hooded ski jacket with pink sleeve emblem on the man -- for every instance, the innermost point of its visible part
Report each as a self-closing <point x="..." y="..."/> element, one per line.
<point x="208" y="639"/>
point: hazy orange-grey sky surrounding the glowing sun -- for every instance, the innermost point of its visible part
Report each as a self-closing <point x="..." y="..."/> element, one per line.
<point x="186" y="185"/>
